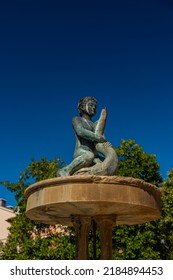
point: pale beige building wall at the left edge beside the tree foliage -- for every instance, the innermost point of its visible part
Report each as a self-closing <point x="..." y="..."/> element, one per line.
<point x="5" y="214"/>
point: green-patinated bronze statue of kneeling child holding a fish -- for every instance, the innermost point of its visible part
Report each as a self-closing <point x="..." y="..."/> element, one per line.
<point x="90" y="142"/>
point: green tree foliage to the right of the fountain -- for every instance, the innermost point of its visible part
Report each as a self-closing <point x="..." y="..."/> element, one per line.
<point x="150" y="240"/>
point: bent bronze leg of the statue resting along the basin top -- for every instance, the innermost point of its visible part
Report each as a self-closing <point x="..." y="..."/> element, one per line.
<point x="84" y="160"/>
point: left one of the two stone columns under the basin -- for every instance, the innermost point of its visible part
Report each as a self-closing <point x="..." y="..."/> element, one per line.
<point x="82" y="225"/>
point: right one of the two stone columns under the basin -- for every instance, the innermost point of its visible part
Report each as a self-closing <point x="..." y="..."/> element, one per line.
<point x="105" y="224"/>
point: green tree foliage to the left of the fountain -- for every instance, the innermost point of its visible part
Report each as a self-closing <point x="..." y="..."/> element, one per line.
<point x="20" y="243"/>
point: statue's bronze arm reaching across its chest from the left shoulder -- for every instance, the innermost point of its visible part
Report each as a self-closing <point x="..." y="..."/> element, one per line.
<point x="85" y="133"/>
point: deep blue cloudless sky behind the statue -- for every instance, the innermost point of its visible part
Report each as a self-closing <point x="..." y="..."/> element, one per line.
<point x="52" y="53"/>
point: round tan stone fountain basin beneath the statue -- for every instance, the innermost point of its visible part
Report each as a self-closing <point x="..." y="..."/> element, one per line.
<point x="59" y="200"/>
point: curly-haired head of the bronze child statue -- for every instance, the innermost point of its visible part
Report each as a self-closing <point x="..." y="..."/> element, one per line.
<point x="87" y="105"/>
